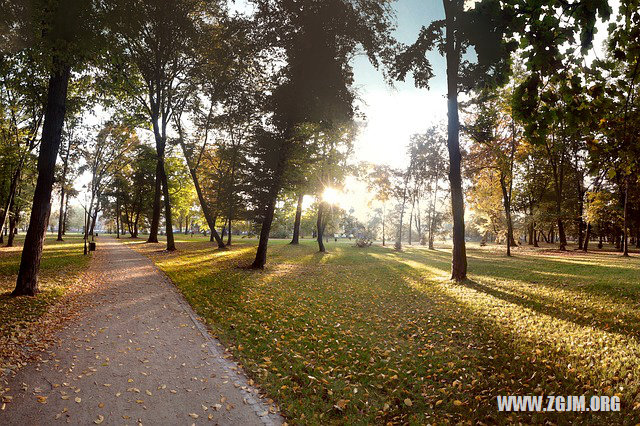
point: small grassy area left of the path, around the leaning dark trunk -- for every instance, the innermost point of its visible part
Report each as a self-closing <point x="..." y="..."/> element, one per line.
<point x="61" y="261"/>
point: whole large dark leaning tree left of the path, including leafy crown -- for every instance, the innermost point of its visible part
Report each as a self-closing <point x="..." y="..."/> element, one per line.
<point x="65" y="33"/>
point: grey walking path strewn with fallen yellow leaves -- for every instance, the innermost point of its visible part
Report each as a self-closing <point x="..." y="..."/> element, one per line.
<point x="138" y="355"/>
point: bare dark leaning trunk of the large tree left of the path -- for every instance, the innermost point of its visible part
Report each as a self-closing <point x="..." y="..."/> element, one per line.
<point x="27" y="282"/>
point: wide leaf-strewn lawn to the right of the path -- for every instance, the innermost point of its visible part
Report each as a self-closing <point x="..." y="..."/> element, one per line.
<point x="372" y="335"/>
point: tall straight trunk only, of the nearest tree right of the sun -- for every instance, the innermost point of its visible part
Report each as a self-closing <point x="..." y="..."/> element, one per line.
<point x="459" y="255"/>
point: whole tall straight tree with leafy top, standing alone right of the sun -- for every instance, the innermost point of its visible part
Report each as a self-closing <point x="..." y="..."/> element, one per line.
<point x="483" y="28"/>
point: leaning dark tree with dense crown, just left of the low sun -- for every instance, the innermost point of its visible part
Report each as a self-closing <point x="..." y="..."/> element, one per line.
<point x="318" y="39"/>
